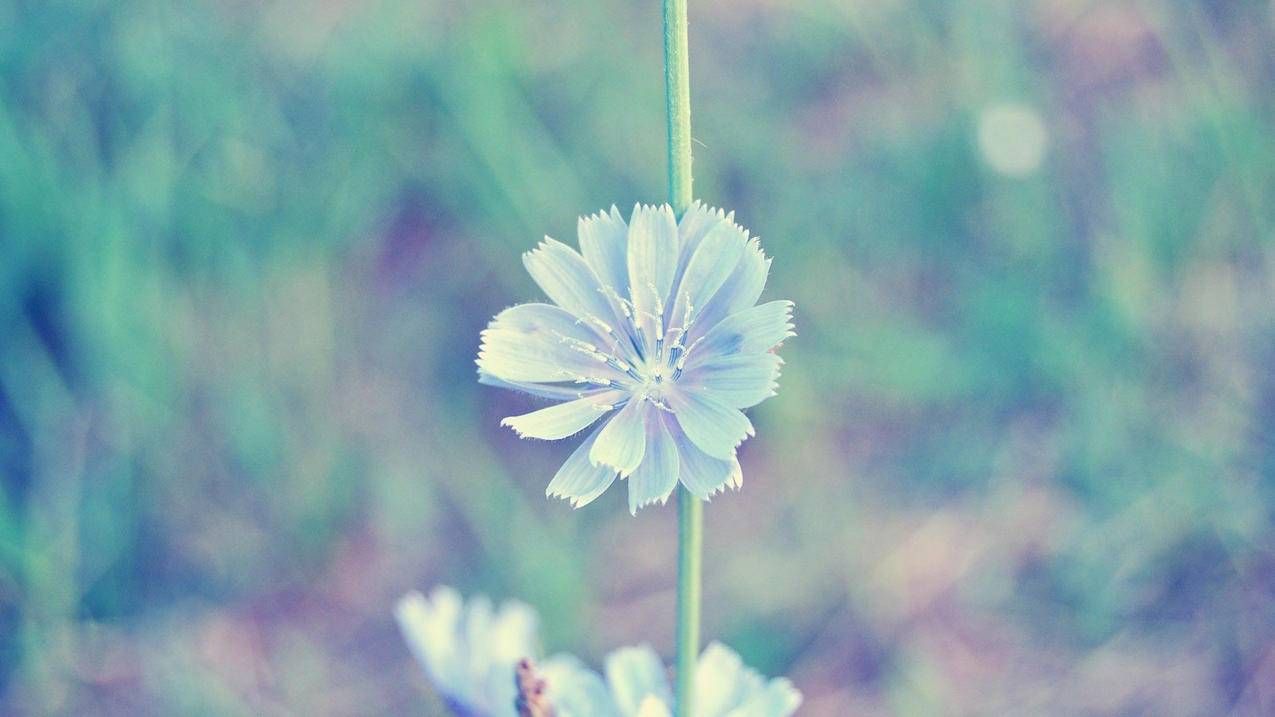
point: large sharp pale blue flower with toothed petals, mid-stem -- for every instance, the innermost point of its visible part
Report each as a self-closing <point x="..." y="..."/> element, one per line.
<point x="653" y="327"/>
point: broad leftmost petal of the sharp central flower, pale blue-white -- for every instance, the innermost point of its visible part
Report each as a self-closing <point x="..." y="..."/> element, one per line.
<point x="543" y="344"/>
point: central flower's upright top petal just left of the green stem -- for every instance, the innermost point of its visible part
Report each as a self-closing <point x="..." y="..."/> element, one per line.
<point x="652" y="257"/>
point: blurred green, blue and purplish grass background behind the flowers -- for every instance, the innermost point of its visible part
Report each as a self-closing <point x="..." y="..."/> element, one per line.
<point x="1022" y="461"/>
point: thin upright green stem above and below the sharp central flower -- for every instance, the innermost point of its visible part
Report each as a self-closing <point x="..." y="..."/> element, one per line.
<point x="690" y="510"/>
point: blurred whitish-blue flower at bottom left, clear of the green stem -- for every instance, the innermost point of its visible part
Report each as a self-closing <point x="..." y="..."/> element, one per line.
<point x="469" y="651"/>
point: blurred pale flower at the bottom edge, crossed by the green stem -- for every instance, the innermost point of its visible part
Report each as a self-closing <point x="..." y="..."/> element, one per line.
<point x="637" y="686"/>
